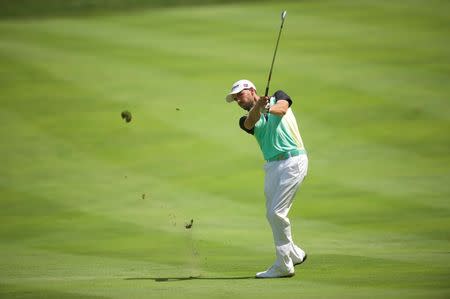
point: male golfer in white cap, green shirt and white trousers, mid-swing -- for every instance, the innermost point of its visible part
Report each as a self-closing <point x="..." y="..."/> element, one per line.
<point x="275" y="128"/>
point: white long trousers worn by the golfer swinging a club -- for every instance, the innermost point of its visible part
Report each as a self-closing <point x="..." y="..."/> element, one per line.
<point x="282" y="181"/>
